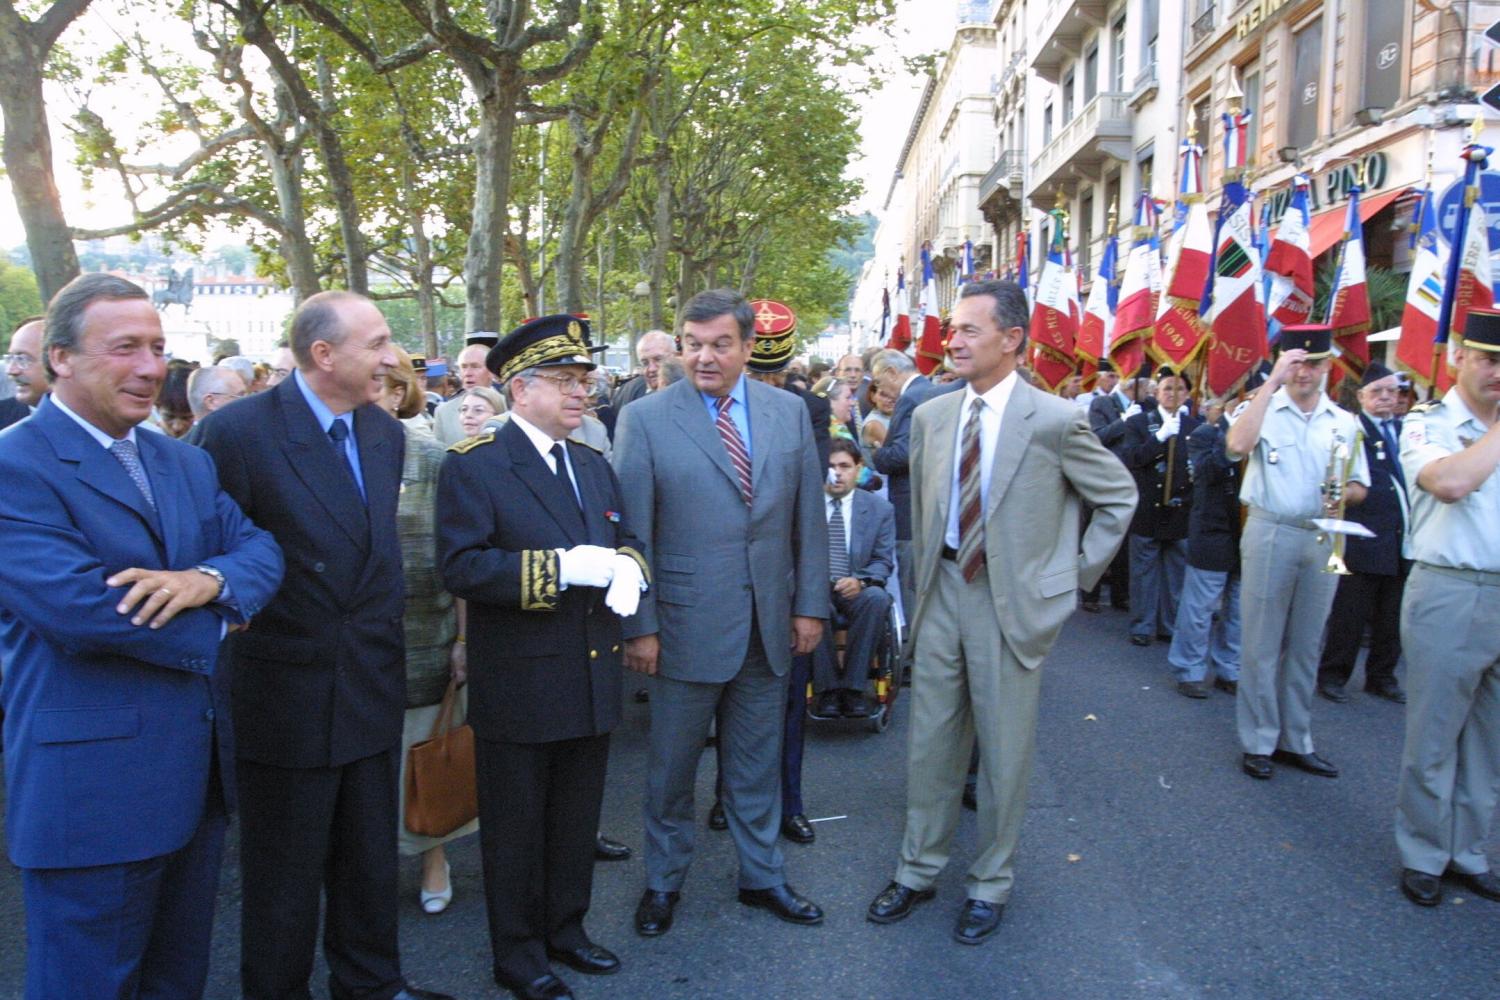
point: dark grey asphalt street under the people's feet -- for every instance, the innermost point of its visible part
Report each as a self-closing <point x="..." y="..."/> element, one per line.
<point x="1150" y="869"/>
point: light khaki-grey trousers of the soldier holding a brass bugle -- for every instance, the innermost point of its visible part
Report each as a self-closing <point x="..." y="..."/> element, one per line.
<point x="1285" y="603"/>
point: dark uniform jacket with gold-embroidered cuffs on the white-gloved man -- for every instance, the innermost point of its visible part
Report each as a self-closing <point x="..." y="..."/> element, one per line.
<point x="544" y="662"/>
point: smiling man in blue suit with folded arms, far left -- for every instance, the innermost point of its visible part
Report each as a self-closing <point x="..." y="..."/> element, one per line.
<point x="116" y="732"/>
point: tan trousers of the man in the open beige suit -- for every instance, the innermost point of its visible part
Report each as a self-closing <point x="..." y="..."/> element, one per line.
<point x="967" y="683"/>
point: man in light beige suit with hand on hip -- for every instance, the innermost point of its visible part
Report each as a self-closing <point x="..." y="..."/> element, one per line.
<point x="998" y="476"/>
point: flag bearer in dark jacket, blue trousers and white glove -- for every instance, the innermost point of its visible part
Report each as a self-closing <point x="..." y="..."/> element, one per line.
<point x="1156" y="451"/>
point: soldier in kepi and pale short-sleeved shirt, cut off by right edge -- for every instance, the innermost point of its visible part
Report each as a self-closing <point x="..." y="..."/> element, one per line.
<point x="1451" y="629"/>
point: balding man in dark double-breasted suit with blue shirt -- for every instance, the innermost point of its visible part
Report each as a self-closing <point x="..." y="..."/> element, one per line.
<point x="320" y="683"/>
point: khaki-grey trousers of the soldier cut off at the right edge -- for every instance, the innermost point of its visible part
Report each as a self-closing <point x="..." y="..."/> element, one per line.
<point x="1451" y="761"/>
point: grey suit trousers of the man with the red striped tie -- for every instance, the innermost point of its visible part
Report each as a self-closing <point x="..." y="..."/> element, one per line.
<point x="754" y="705"/>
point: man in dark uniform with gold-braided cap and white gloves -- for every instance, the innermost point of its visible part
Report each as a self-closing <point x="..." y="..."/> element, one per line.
<point x="530" y="534"/>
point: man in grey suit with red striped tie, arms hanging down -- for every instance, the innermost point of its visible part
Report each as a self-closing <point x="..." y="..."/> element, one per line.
<point x="722" y="485"/>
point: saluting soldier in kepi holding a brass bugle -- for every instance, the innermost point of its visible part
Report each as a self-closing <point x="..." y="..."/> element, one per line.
<point x="1303" y="452"/>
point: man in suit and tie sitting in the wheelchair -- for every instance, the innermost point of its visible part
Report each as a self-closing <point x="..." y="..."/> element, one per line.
<point x="862" y="558"/>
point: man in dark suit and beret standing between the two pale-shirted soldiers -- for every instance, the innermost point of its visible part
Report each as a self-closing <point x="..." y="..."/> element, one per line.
<point x="1372" y="593"/>
